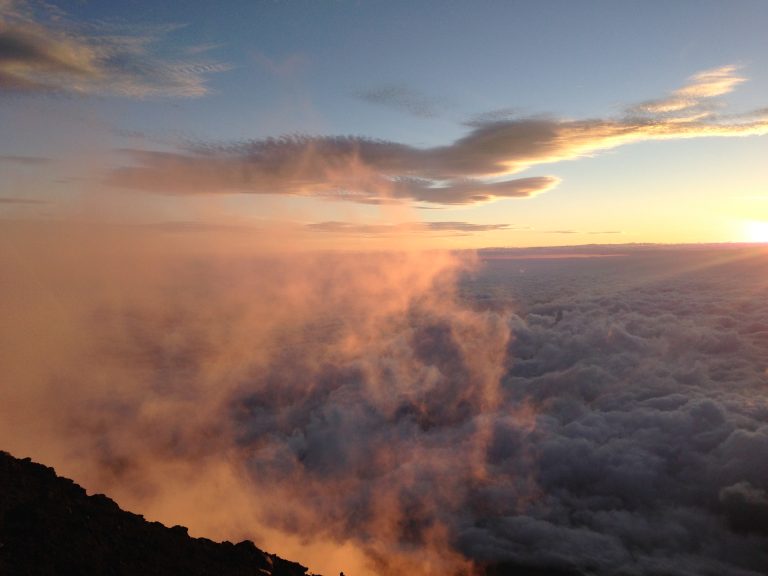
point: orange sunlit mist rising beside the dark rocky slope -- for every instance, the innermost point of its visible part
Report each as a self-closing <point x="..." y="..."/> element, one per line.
<point x="338" y="399"/>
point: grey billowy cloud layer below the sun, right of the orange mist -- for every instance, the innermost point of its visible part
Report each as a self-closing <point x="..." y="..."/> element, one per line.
<point x="651" y="417"/>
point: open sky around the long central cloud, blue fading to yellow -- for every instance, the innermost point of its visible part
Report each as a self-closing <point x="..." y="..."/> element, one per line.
<point x="416" y="74"/>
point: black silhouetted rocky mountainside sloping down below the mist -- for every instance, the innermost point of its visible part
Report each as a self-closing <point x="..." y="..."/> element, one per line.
<point x="50" y="526"/>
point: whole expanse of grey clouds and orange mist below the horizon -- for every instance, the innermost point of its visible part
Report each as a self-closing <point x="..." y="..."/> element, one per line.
<point x="593" y="411"/>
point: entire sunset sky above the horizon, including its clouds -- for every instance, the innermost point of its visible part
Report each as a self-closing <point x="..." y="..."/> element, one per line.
<point x="458" y="124"/>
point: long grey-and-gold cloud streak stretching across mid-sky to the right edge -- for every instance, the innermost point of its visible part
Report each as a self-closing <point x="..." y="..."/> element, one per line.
<point x="475" y="168"/>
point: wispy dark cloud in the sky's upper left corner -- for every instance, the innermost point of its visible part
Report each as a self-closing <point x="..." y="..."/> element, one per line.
<point x="41" y="53"/>
